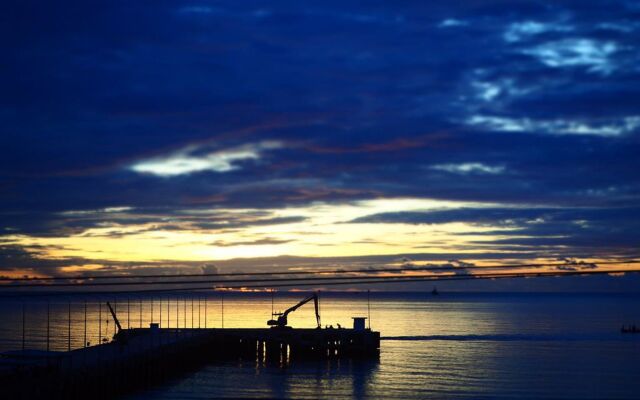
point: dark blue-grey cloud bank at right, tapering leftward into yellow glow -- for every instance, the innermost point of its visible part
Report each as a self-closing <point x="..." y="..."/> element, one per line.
<point x="535" y="228"/>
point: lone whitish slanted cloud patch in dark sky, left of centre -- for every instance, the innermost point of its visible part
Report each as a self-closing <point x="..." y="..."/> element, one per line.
<point x="186" y="161"/>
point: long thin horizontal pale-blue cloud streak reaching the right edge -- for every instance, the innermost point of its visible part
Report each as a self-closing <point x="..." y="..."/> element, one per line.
<point x="558" y="127"/>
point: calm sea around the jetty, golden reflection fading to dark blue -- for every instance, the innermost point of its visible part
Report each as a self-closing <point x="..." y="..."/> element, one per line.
<point x="448" y="346"/>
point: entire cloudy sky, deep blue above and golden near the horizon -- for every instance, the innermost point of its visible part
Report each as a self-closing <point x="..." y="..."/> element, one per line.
<point x="240" y="136"/>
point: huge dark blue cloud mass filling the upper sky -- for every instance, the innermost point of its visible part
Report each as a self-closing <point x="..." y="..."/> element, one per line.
<point x="526" y="103"/>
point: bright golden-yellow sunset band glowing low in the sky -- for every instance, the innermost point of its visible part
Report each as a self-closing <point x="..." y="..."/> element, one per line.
<point x="325" y="231"/>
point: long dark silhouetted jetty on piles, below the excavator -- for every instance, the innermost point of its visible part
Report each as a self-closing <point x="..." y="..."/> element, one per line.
<point x="142" y="356"/>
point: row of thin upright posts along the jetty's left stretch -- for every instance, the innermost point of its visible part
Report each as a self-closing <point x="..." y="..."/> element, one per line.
<point x="66" y="323"/>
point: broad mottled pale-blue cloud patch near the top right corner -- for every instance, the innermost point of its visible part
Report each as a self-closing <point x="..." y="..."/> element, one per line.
<point x="593" y="54"/>
